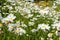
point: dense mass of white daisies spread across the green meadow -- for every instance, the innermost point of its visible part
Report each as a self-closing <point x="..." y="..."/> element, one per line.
<point x="23" y="17"/>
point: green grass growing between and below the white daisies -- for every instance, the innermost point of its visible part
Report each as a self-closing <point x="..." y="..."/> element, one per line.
<point x="5" y="34"/>
